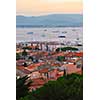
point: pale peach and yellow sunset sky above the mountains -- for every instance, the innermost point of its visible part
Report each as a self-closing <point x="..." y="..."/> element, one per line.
<point x="42" y="7"/>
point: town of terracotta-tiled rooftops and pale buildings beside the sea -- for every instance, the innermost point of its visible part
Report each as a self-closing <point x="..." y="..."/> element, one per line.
<point x="41" y="62"/>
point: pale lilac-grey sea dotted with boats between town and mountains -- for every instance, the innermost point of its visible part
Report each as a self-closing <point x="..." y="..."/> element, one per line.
<point x="42" y="34"/>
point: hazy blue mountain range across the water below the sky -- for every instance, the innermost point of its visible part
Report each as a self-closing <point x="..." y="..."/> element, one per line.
<point x="53" y="20"/>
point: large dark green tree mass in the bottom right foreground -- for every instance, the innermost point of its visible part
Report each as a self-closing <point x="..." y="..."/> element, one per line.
<point x="68" y="87"/>
